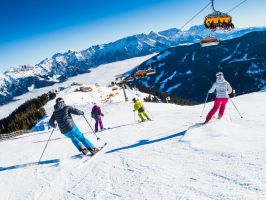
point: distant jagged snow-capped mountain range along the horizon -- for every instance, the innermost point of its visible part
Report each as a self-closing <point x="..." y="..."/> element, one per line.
<point x="21" y="79"/>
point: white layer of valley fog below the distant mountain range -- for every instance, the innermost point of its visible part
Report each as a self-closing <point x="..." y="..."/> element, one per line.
<point x="108" y="71"/>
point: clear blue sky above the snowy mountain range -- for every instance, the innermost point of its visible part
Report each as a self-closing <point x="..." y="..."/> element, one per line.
<point x="32" y="30"/>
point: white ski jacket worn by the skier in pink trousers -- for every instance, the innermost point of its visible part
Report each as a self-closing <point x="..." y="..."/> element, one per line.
<point x="222" y="87"/>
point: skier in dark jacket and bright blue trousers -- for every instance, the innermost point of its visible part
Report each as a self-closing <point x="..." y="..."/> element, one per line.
<point x="62" y="115"/>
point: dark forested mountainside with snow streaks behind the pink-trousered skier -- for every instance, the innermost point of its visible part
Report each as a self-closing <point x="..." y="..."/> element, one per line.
<point x="189" y="71"/>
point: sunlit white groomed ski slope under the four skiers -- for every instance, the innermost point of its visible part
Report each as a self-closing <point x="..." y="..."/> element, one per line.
<point x="168" y="158"/>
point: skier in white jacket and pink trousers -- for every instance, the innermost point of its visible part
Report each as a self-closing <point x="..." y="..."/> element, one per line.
<point x="223" y="89"/>
